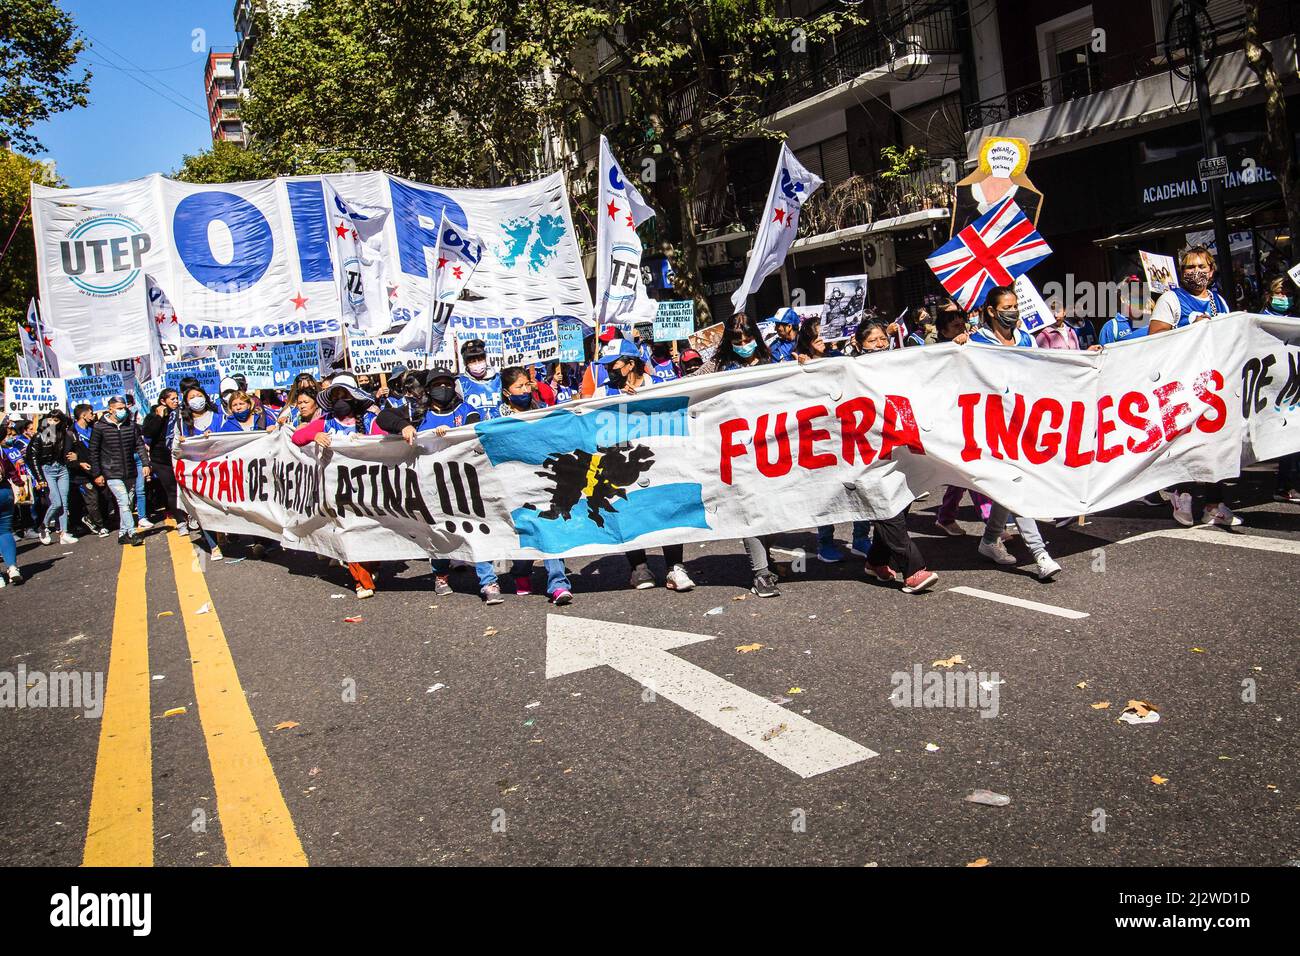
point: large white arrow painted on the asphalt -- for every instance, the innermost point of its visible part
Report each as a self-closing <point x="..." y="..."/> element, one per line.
<point x="642" y="654"/>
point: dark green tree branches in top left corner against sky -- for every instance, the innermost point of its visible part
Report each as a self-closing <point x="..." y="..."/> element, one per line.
<point x="38" y="60"/>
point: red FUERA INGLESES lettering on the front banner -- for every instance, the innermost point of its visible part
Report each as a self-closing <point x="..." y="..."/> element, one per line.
<point x="1006" y="427"/>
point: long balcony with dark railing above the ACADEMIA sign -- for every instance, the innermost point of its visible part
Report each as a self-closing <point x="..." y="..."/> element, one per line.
<point x="1120" y="89"/>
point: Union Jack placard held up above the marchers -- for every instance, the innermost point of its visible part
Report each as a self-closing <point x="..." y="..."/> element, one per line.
<point x="991" y="252"/>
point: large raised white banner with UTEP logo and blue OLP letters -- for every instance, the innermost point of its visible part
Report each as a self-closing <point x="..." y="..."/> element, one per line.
<point x="253" y="262"/>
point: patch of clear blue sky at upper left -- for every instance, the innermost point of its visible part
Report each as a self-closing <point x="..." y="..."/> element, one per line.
<point x="131" y="131"/>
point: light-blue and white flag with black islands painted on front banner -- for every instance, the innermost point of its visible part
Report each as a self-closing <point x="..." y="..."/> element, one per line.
<point x="601" y="478"/>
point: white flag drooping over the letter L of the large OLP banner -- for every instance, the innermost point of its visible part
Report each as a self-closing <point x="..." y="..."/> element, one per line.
<point x="357" y="239"/>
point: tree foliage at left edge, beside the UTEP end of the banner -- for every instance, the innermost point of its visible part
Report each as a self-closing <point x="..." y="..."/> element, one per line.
<point x="19" y="269"/>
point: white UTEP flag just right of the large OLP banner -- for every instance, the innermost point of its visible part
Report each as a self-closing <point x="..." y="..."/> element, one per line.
<point x="619" y="291"/>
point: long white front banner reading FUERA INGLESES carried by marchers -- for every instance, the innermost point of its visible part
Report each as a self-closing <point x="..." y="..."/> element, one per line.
<point x="1045" y="432"/>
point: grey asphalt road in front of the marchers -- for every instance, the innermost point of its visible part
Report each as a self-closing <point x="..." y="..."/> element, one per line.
<point x="502" y="765"/>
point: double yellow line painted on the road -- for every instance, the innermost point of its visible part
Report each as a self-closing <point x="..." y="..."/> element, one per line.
<point x="255" y="820"/>
